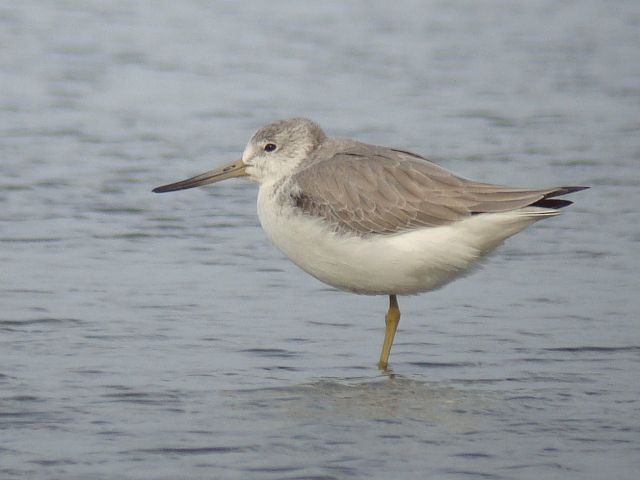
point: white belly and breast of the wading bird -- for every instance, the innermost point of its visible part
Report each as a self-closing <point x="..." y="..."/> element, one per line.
<point x="405" y="263"/>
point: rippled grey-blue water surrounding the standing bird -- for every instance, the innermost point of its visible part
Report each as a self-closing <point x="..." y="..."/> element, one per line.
<point x="161" y="336"/>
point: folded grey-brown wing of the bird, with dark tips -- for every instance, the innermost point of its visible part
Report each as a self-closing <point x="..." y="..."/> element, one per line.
<point x="366" y="189"/>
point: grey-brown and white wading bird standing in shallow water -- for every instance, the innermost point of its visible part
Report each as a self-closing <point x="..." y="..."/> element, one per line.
<point x="375" y="220"/>
